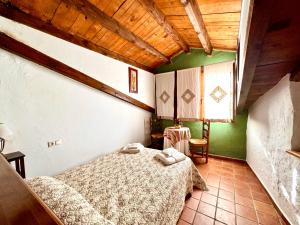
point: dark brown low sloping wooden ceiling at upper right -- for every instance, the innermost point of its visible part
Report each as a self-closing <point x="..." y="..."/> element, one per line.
<point x="277" y="50"/>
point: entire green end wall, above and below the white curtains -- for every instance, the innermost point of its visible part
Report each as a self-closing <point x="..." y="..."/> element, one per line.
<point x="226" y="139"/>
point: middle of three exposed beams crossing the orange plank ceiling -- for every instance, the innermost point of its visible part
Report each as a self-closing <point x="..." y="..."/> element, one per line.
<point x="160" y="18"/>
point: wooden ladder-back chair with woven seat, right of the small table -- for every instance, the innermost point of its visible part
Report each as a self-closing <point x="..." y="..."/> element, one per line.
<point x="200" y="147"/>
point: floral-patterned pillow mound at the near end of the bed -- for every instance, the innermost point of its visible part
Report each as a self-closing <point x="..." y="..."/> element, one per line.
<point x="68" y="205"/>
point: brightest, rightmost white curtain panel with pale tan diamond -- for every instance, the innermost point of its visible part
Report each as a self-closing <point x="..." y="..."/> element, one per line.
<point x="218" y="91"/>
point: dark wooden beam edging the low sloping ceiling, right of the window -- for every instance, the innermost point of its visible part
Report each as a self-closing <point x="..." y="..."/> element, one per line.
<point x="259" y="23"/>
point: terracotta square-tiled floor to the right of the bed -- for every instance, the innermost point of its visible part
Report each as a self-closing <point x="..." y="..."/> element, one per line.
<point x="235" y="197"/>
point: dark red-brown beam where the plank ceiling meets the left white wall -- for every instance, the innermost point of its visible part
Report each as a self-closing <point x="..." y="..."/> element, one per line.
<point x="11" y="12"/>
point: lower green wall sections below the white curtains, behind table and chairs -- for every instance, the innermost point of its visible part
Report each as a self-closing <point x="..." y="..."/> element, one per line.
<point x="226" y="139"/>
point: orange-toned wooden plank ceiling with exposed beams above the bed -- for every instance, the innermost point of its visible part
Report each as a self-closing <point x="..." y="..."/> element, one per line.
<point x="143" y="33"/>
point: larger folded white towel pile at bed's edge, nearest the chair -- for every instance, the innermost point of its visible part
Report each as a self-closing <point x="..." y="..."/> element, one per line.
<point x="170" y="156"/>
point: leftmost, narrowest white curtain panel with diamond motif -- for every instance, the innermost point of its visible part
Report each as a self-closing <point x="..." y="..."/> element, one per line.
<point x="165" y="95"/>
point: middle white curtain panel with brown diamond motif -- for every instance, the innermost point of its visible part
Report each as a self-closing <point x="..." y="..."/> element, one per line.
<point x="189" y="94"/>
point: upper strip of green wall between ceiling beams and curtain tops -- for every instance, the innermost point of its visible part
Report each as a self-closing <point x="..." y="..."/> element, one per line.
<point x="195" y="58"/>
